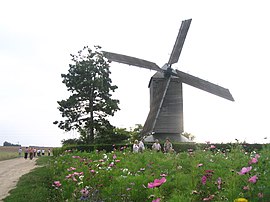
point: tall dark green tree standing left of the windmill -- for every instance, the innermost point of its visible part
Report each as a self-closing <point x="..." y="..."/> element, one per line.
<point x="90" y="102"/>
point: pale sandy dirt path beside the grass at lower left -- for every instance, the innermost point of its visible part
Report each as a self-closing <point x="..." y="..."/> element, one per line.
<point x="10" y="172"/>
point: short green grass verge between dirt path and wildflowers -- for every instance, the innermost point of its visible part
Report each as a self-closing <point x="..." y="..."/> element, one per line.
<point x="34" y="186"/>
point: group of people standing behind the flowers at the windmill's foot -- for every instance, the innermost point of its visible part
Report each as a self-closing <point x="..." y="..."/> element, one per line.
<point x="138" y="146"/>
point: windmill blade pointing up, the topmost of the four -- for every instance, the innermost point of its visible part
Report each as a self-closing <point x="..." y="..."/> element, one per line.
<point x="177" y="48"/>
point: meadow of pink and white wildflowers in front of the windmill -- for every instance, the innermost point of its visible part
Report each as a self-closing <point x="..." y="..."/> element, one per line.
<point x="207" y="174"/>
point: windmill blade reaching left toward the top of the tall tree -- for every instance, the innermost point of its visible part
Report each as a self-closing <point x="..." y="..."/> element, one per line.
<point x="131" y="61"/>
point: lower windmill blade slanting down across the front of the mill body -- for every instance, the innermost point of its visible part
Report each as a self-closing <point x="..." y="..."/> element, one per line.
<point x="153" y="114"/>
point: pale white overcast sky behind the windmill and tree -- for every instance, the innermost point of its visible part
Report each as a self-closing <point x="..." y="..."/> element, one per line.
<point x="227" y="44"/>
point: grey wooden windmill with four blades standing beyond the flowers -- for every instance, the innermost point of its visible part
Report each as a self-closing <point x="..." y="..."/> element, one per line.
<point x="165" y="118"/>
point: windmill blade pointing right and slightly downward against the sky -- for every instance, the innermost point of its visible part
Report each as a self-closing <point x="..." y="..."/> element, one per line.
<point x="204" y="85"/>
